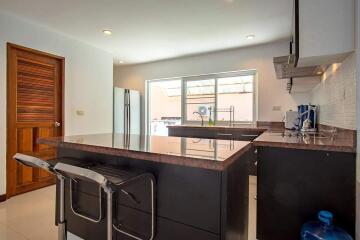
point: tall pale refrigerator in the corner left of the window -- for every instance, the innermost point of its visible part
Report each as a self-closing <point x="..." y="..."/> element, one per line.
<point x="126" y="111"/>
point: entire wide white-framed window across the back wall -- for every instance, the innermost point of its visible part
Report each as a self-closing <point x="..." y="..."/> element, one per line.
<point x="220" y="97"/>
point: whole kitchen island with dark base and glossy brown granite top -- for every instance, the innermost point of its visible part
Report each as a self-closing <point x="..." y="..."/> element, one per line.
<point x="201" y="185"/>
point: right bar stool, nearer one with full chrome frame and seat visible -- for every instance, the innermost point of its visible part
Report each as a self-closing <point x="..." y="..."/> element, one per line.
<point x="110" y="180"/>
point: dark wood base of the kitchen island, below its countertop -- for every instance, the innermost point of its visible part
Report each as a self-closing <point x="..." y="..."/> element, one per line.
<point x="192" y="203"/>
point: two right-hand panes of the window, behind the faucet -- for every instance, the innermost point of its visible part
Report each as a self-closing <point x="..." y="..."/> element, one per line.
<point x="226" y="97"/>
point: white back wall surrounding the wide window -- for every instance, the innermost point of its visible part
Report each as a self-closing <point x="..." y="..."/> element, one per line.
<point x="271" y="91"/>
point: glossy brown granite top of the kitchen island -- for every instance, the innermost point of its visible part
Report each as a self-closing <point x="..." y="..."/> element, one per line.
<point x="202" y="153"/>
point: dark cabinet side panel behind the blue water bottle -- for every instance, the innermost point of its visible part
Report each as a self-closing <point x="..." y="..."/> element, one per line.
<point x="293" y="185"/>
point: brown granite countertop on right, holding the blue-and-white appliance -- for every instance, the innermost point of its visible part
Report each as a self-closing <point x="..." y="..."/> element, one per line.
<point x="342" y="141"/>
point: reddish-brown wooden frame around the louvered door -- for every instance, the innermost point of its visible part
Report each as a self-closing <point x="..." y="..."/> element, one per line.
<point x="62" y="83"/>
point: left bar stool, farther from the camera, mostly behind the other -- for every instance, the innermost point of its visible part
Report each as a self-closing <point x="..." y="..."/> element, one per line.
<point x="34" y="162"/>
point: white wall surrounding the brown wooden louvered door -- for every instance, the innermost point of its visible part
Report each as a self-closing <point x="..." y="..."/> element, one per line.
<point x="88" y="79"/>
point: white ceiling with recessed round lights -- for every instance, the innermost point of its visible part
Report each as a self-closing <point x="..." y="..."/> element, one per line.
<point x="149" y="30"/>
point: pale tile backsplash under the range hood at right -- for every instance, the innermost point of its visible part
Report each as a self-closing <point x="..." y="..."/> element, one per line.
<point x="336" y="95"/>
